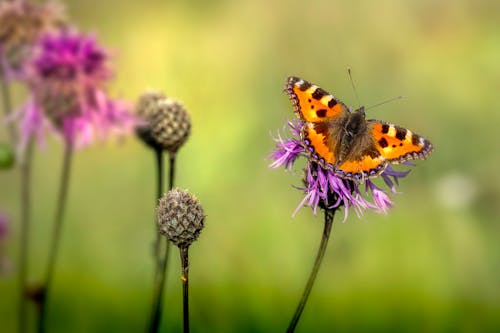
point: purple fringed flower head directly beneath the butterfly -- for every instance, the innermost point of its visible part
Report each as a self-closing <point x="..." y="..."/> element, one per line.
<point x="324" y="189"/>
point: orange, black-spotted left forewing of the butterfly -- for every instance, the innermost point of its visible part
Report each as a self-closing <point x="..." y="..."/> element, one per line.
<point x="311" y="102"/>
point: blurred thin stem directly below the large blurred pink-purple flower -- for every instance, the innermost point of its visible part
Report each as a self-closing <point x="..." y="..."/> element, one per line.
<point x="56" y="235"/>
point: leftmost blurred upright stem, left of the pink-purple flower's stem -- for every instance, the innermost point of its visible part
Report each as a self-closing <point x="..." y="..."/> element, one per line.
<point x="25" y="166"/>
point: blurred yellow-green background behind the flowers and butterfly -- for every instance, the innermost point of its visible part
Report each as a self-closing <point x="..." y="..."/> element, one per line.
<point x="432" y="264"/>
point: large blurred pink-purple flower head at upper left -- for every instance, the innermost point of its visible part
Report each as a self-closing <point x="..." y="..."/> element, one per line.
<point x="67" y="77"/>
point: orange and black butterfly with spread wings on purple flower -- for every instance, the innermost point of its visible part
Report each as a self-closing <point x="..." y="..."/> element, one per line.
<point x="346" y="142"/>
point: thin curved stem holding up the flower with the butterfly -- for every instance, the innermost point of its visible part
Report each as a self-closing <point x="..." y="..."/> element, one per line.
<point x="329" y="213"/>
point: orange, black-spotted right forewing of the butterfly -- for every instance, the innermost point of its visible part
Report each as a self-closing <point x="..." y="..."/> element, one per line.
<point x="397" y="144"/>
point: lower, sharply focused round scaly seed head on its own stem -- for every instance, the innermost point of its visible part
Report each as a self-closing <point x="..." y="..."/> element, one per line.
<point x="180" y="217"/>
